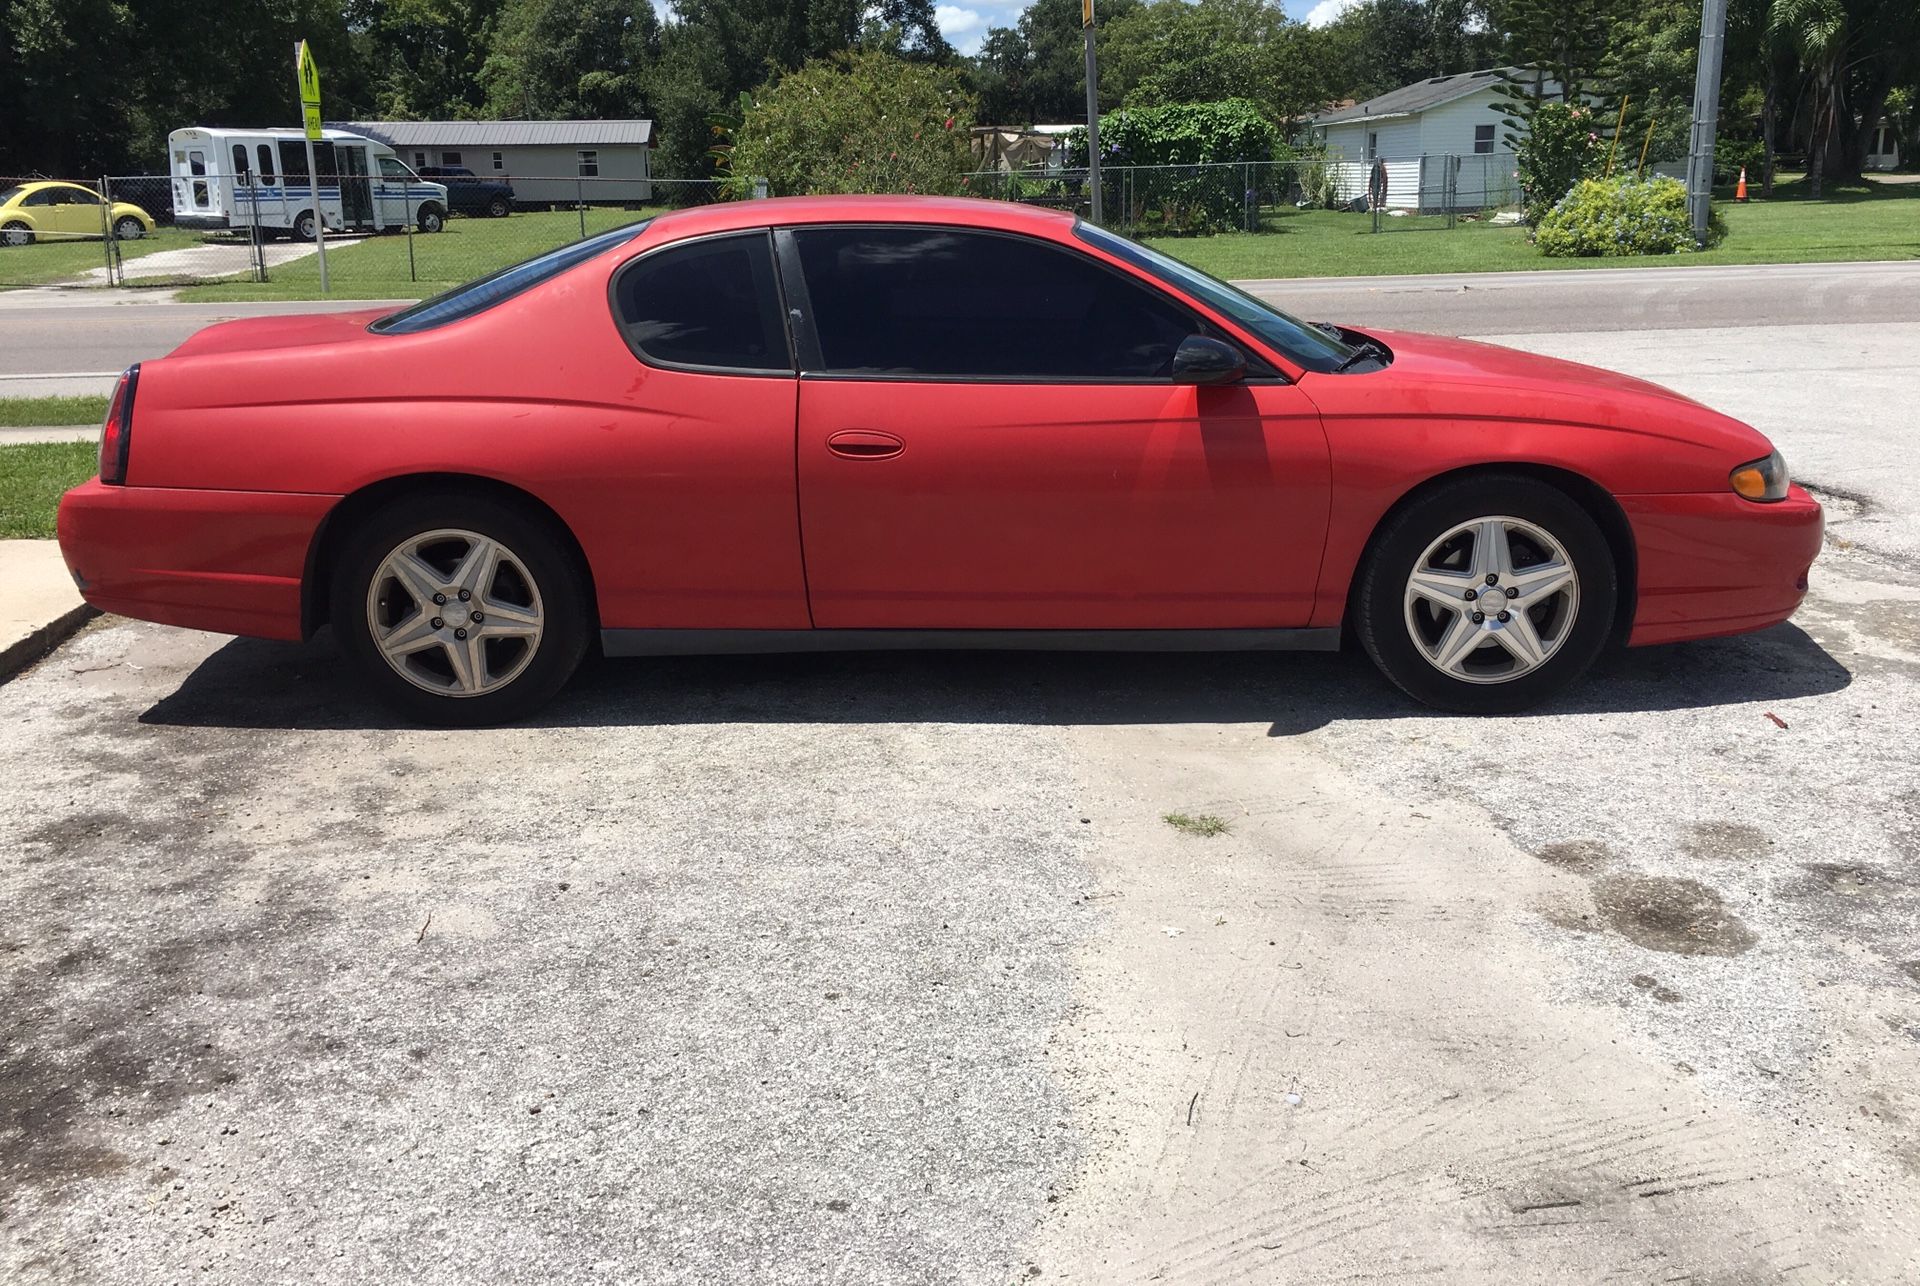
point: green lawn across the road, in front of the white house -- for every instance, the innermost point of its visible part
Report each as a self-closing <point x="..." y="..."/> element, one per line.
<point x="1858" y="222"/>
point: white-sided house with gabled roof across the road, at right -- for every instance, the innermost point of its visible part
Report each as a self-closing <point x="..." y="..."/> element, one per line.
<point x="1422" y="133"/>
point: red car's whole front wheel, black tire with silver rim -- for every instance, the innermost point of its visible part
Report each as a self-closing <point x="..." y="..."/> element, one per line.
<point x="1489" y="594"/>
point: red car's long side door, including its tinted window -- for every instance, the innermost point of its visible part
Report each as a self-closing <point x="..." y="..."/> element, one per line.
<point x="990" y="439"/>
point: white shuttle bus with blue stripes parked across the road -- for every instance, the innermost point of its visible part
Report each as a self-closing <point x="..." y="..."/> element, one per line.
<point x="233" y="178"/>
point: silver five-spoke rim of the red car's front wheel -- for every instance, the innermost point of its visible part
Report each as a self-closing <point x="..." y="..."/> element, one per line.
<point x="1493" y="600"/>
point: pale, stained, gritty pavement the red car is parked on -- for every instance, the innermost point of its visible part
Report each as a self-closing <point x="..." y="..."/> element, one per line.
<point x="888" y="968"/>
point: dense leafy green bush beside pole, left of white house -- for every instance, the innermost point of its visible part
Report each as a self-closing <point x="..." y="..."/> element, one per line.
<point x="1195" y="145"/>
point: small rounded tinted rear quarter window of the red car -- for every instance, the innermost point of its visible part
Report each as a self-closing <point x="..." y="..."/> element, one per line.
<point x="708" y="304"/>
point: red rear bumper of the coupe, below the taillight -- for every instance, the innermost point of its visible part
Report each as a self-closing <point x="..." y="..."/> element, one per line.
<point x="228" y="561"/>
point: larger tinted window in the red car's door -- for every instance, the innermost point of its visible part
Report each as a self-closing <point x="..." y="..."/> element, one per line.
<point x="946" y="302"/>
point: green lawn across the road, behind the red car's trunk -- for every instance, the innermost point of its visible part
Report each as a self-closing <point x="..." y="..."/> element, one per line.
<point x="377" y="268"/>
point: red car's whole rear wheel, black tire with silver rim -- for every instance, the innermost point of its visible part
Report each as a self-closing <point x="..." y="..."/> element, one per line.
<point x="460" y="609"/>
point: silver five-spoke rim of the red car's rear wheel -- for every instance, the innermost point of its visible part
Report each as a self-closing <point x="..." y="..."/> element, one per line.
<point x="456" y="613"/>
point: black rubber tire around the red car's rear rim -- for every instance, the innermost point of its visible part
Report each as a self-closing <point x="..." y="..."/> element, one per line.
<point x="533" y="542"/>
